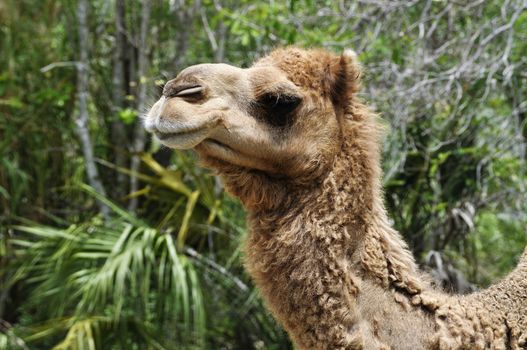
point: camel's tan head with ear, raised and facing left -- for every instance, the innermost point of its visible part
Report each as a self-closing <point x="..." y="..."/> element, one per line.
<point x="281" y="117"/>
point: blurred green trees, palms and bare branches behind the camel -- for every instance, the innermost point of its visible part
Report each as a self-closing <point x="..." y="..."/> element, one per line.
<point x="165" y="272"/>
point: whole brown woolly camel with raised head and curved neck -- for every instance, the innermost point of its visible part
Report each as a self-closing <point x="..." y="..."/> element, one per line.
<point x="293" y="141"/>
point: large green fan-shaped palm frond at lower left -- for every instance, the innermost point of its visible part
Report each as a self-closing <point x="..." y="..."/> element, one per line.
<point x="117" y="270"/>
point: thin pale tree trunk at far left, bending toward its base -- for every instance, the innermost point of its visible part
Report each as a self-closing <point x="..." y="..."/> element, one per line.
<point x="81" y="121"/>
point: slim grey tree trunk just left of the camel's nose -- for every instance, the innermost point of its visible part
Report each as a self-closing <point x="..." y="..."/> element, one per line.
<point x="139" y="133"/>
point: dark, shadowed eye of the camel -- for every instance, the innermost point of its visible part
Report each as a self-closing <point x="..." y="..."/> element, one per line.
<point x="278" y="108"/>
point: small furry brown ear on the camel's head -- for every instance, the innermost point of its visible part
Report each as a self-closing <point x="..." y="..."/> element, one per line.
<point x="344" y="77"/>
